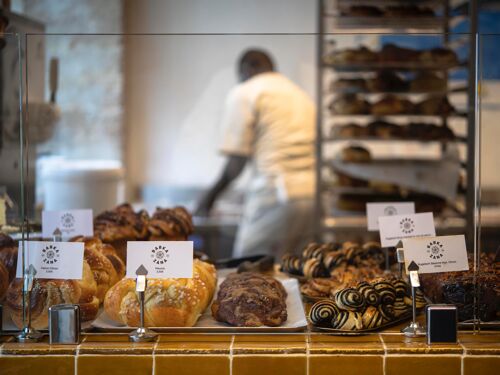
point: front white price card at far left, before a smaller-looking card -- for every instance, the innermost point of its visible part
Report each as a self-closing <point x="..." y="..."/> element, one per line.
<point x="52" y="260"/>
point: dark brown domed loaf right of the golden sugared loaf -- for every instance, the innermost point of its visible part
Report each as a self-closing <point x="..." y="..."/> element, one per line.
<point x="250" y="300"/>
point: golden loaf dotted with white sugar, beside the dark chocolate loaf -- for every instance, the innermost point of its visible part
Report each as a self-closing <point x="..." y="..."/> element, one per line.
<point x="169" y="302"/>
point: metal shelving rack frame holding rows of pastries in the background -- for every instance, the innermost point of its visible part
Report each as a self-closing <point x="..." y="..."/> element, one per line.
<point x="330" y="23"/>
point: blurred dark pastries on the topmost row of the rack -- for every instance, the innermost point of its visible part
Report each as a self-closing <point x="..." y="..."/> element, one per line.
<point x="404" y="10"/>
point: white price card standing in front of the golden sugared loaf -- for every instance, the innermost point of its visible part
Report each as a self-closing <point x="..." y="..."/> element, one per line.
<point x="162" y="259"/>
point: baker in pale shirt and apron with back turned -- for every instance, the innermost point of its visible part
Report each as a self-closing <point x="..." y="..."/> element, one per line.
<point x="269" y="125"/>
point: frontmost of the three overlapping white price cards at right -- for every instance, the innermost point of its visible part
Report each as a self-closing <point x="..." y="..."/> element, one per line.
<point x="437" y="254"/>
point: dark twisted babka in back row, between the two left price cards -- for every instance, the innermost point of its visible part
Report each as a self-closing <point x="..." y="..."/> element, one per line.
<point x="119" y="225"/>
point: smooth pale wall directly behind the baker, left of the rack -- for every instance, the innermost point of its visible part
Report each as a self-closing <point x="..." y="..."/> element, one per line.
<point x="176" y="85"/>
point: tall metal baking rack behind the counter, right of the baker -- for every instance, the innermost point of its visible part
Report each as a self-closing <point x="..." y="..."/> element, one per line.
<point x="331" y="23"/>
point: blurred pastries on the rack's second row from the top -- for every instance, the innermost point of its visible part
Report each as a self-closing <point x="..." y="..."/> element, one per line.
<point x="391" y="54"/>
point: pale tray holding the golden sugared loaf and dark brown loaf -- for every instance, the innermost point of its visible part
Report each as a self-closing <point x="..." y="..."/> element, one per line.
<point x="296" y="321"/>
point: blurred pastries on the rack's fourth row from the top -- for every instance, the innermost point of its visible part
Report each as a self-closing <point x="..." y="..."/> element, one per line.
<point x="353" y="104"/>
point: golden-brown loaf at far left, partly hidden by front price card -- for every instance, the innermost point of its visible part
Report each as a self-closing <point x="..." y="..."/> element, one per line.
<point x="48" y="292"/>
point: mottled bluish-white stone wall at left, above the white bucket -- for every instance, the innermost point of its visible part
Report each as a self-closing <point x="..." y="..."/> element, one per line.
<point x="91" y="77"/>
